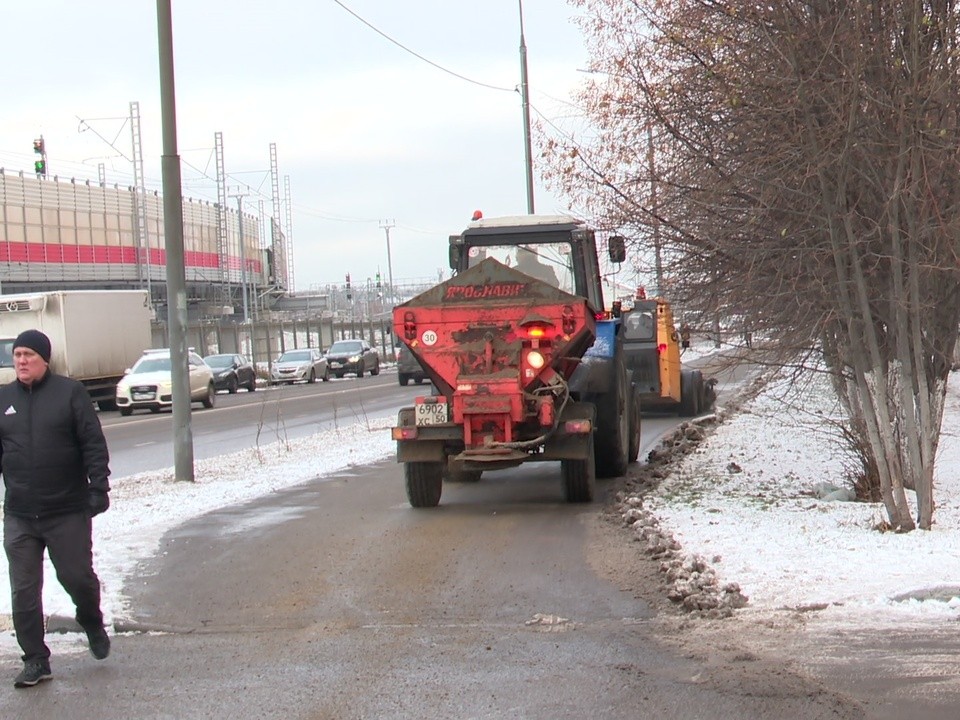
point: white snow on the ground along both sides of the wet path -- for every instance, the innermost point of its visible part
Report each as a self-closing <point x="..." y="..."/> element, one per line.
<point x="743" y="500"/>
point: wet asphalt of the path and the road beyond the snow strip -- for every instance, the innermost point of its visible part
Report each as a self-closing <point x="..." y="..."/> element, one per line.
<point x="335" y="599"/>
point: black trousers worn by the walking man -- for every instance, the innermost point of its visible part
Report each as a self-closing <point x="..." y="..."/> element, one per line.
<point x="69" y="541"/>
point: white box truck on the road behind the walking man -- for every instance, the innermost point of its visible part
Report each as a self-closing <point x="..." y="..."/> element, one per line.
<point x="95" y="334"/>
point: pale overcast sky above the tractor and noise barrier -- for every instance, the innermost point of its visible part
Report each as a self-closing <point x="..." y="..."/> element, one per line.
<point x="366" y="131"/>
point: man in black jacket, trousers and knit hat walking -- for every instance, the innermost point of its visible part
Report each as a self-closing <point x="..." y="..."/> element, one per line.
<point x="54" y="461"/>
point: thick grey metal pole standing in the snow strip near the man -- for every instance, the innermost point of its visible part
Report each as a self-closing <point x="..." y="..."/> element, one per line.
<point x="176" y="274"/>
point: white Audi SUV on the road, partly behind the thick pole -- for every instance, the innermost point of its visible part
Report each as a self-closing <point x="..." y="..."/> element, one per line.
<point x="149" y="383"/>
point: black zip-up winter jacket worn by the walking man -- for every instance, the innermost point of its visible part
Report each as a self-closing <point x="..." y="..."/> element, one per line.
<point x="52" y="448"/>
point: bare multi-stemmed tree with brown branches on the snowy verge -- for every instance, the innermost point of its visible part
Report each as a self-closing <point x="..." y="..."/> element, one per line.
<point x="806" y="182"/>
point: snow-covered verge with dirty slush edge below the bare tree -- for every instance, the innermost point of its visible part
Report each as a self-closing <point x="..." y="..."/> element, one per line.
<point x="744" y="494"/>
